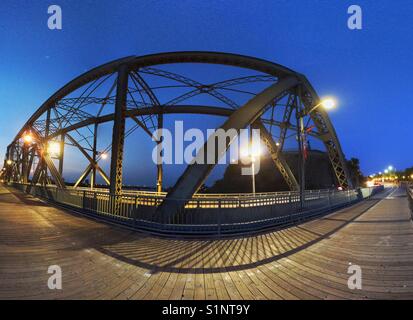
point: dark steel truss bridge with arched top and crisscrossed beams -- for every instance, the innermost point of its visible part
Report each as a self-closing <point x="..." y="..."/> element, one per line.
<point x="145" y="90"/>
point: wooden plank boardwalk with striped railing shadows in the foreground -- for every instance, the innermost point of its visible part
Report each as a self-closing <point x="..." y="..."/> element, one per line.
<point x="309" y="261"/>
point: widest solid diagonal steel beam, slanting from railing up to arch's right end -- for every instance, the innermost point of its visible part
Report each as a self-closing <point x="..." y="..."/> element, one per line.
<point x="195" y="174"/>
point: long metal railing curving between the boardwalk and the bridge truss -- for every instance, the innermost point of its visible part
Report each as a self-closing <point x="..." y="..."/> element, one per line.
<point x="205" y="213"/>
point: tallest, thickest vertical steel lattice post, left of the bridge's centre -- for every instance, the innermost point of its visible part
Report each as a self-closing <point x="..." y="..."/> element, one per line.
<point x="118" y="138"/>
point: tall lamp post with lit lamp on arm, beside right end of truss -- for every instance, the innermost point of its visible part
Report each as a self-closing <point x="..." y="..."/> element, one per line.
<point x="327" y="104"/>
